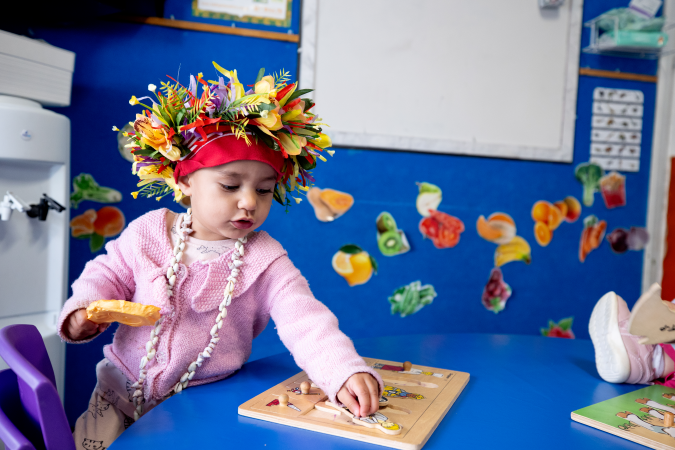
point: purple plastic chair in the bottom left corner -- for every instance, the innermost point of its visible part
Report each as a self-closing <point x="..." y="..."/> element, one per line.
<point x="31" y="414"/>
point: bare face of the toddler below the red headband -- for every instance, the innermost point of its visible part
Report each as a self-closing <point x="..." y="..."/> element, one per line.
<point x="231" y="200"/>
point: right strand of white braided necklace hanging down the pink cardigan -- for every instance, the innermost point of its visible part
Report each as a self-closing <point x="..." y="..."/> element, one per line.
<point x="227" y="299"/>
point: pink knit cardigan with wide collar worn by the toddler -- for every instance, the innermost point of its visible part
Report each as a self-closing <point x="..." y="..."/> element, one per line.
<point x="134" y="269"/>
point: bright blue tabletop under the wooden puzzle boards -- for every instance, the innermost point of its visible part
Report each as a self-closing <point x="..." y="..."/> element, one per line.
<point x="521" y="393"/>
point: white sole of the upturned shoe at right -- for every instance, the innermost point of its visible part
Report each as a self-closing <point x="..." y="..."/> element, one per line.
<point x="611" y="357"/>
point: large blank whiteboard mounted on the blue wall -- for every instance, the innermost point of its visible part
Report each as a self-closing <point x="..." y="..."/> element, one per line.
<point x="479" y="77"/>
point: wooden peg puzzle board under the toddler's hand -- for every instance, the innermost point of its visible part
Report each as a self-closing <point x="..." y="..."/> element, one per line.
<point x="416" y="401"/>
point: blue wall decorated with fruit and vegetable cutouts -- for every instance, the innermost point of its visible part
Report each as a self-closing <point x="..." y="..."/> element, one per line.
<point x="116" y="60"/>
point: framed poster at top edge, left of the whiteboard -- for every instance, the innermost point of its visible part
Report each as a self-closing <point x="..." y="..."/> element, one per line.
<point x="264" y="12"/>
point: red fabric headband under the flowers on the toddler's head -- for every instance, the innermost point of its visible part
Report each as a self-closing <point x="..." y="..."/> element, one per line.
<point x="224" y="148"/>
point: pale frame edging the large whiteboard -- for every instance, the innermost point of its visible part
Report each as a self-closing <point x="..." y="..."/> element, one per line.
<point x="564" y="152"/>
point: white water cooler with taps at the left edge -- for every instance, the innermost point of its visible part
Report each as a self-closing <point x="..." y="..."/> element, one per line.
<point x="34" y="161"/>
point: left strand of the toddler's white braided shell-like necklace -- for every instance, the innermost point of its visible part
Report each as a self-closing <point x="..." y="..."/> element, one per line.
<point x="184" y="222"/>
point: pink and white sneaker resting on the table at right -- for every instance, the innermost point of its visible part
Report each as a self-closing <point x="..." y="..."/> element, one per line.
<point x="618" y="356"/>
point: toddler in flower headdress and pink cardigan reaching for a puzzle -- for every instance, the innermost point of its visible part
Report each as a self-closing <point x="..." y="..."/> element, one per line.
<point x="217" y="280"/>
